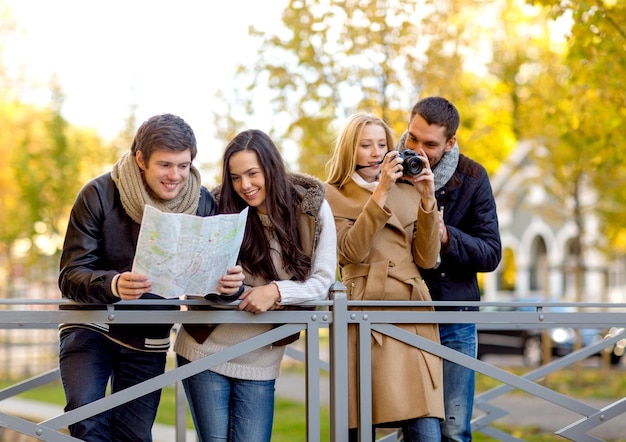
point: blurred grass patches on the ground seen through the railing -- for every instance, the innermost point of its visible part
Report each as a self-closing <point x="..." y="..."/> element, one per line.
<point x="290" y="416"/>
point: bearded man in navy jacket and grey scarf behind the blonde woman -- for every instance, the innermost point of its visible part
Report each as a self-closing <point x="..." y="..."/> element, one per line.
<point x="470" y="243"/>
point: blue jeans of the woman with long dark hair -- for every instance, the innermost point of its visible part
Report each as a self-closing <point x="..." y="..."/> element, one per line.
<point x="228" y="409"/>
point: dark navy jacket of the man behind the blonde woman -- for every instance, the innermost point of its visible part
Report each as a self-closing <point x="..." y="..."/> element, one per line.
<point x="474" y="236"/>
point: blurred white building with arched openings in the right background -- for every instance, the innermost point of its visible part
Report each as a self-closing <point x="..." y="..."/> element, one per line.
<point x="537" y="238"/>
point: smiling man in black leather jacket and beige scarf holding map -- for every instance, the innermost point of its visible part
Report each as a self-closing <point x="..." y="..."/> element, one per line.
<point x="95" y="268"/>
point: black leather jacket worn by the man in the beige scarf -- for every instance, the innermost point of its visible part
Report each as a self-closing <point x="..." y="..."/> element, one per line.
<point x="100" y="243"/>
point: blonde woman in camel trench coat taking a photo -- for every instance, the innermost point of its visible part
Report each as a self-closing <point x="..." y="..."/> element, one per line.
<point x="387" y="225"/>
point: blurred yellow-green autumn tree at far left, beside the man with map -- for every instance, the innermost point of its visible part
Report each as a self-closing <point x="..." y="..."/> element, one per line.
<point x="45" y="162"/>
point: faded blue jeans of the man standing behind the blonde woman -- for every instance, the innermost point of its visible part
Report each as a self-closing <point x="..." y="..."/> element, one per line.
<point x="458" y="382"/>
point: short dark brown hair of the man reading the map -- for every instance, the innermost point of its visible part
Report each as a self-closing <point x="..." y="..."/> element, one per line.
<point x="164" y="132"/>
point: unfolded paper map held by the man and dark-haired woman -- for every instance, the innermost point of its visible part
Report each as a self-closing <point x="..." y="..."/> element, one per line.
<point x="185" y="254"/>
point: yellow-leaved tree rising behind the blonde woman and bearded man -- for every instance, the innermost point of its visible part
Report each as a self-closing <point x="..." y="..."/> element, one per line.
<point x="332" y="58"/>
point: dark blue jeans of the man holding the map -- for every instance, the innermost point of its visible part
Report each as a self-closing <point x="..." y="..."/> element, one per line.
<point x="87" y="360"/>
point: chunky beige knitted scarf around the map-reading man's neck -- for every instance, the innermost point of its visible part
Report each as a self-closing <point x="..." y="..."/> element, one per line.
<point x="134" y="195"/>
